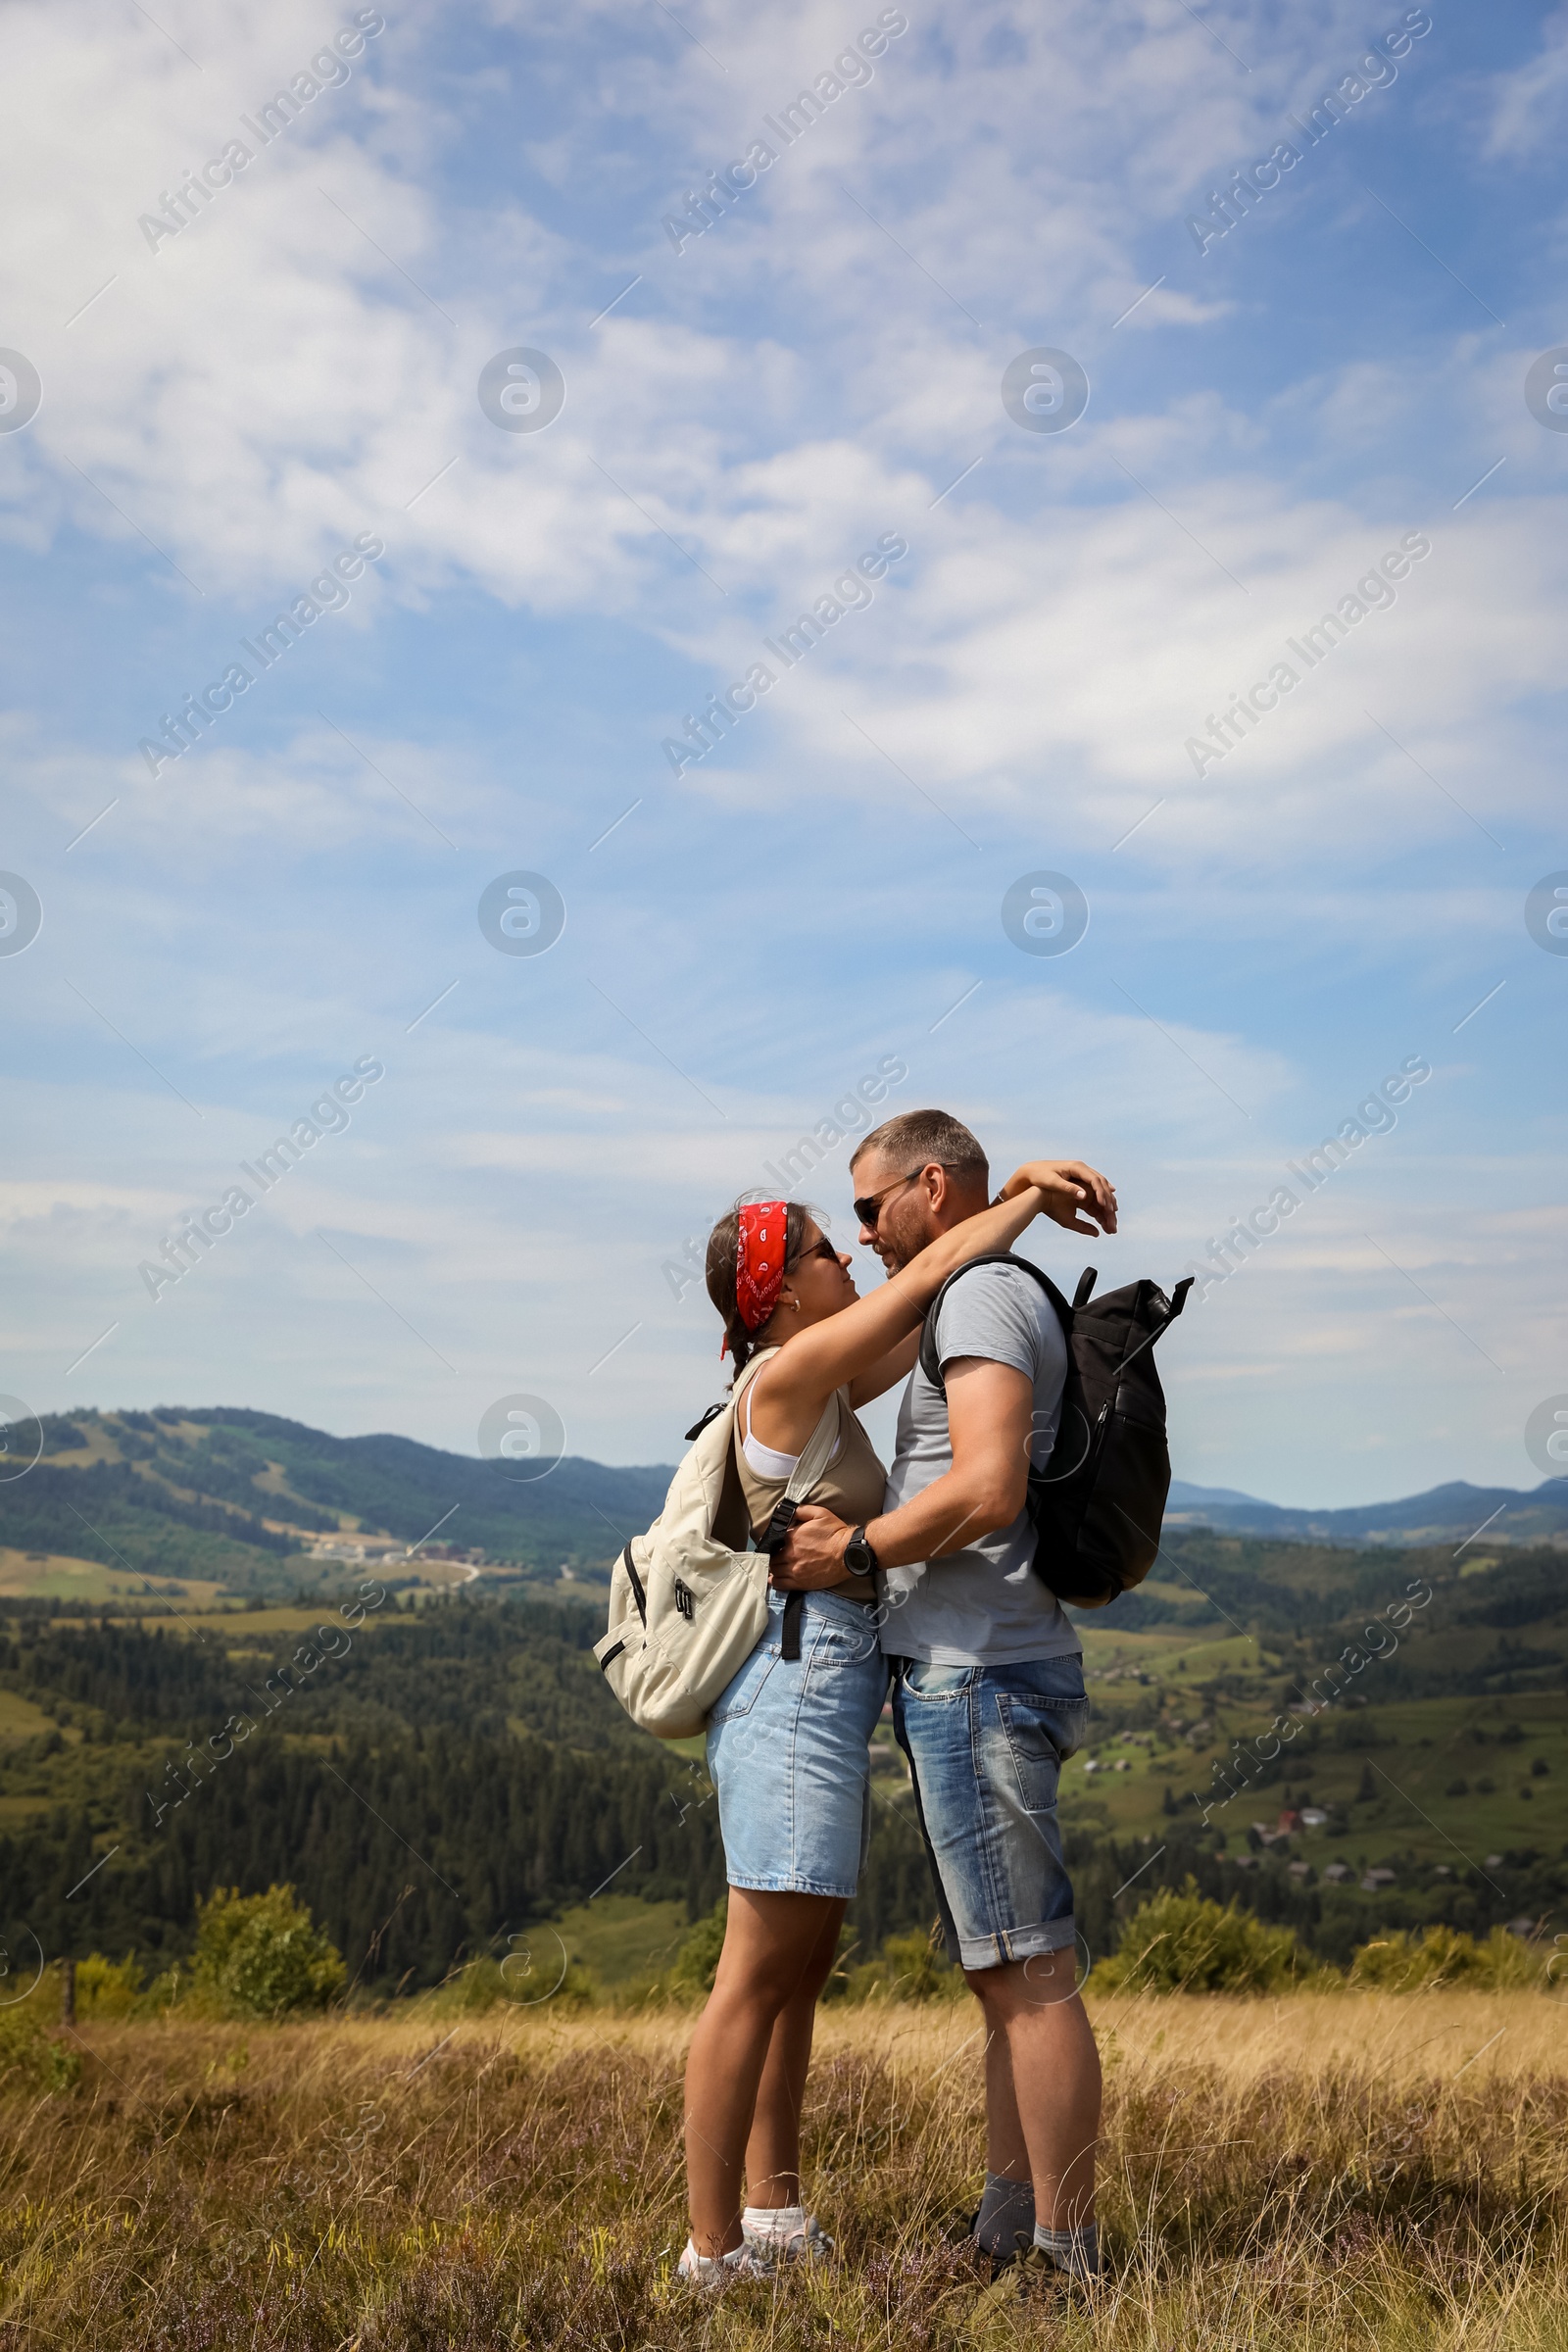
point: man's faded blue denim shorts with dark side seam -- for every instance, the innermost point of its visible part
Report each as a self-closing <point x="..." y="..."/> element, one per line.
<point x="986" y="1749"/>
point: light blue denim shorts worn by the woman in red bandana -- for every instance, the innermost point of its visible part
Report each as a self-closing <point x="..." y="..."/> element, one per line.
<point x="789" y="1751"/>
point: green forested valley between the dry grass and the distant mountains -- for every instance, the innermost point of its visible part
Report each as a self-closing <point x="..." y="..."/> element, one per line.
<point x="441" y="1772"/>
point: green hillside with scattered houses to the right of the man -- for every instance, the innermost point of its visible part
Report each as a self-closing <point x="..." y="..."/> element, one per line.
<point x="1440" y="1765"/>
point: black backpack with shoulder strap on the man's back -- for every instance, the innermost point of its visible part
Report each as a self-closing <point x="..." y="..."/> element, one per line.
<point x="1099" y="1504"/>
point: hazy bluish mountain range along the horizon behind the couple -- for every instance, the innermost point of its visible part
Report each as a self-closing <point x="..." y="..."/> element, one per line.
<point x="255" y="1504"/>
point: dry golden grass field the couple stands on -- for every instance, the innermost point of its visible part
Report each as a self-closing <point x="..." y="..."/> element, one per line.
<point x="1315" y="2172"/>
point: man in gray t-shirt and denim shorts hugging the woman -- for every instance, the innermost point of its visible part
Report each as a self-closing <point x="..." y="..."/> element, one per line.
<point x="989" y="1676"/>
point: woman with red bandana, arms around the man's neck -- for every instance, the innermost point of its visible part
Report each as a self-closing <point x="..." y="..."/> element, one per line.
<point x="789" y="1742"/>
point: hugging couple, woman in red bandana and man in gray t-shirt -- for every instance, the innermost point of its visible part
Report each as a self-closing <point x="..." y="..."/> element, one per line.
<point x="920" y="1577"/>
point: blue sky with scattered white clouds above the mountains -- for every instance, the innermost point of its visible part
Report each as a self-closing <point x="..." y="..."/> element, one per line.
<point x="448" y="363"/>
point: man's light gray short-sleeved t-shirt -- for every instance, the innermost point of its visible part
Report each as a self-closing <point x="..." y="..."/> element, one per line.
<point x="984" y="1605"/>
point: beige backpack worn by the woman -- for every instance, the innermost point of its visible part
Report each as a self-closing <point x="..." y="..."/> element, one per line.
<point x="688" y="1603"/>
